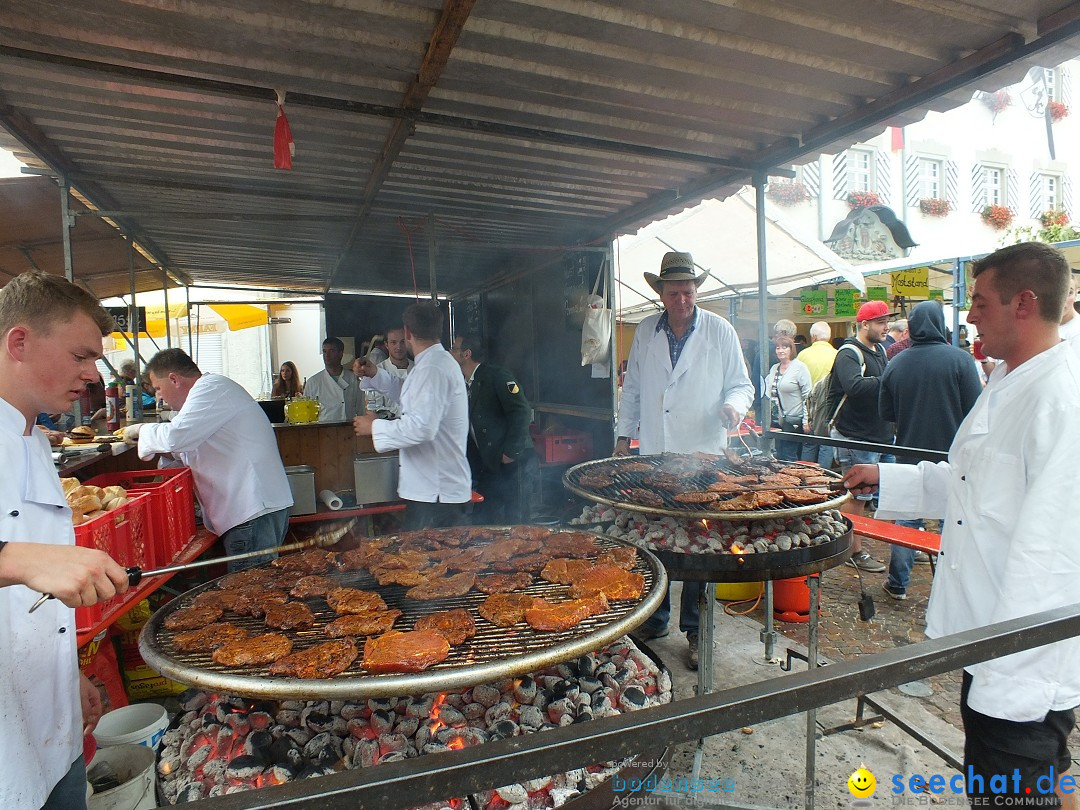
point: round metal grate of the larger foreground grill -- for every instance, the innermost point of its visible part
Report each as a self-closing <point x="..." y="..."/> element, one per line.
<point x="492" y="655"/>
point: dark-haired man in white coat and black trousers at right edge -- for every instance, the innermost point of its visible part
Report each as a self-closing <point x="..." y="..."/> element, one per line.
<point x="1008" y="544"/>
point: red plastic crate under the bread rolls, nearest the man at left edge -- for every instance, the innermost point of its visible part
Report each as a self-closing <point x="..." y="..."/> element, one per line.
<point x="124" y="534"/>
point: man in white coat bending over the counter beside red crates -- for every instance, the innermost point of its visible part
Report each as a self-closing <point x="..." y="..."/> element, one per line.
<point x="222" y="434"/>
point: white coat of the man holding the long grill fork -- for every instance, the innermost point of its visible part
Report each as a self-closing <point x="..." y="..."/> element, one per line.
<point x="42" y="727"/>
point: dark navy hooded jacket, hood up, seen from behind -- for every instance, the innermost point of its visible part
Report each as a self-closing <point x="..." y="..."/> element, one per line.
<point x="929" y="388"/>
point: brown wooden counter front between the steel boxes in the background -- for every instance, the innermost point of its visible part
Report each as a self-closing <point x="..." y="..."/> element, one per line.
<point x="328" y="448"/>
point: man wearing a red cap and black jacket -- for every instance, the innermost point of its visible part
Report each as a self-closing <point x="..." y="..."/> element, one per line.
<point x="855" y="388"/>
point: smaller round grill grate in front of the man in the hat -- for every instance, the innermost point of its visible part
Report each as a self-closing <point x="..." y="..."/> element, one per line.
<point x="693" y="476"/>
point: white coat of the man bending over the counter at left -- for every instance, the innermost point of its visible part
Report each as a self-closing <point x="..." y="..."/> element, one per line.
<point x="225" y="438"/>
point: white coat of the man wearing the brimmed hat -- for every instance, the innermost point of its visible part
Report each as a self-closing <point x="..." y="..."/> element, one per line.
<point x="681" y="411"/>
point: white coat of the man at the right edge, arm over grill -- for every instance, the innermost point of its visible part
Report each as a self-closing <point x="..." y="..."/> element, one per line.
<point x="1009" y="542"/>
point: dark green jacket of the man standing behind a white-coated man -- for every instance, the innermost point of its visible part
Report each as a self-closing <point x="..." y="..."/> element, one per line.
<point x="499" y="417"/>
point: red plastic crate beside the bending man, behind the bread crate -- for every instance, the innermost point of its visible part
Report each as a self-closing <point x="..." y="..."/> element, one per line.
<point x="172" y="511"/>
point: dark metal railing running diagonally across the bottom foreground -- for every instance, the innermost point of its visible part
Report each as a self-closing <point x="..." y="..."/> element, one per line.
<point x="404" y="785"/>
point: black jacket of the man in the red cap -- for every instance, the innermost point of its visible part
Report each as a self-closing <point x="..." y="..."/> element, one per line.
<point x="859" y="417"/>
